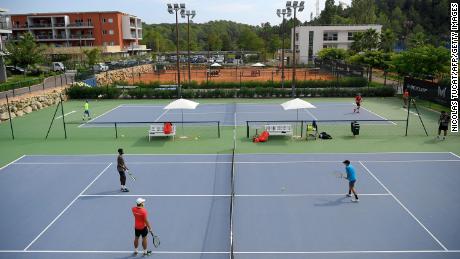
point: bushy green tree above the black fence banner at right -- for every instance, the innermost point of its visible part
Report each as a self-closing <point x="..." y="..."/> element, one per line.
<point x="422" y="61"/>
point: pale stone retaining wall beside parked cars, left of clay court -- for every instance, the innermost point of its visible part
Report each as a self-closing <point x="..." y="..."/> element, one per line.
<point x="124" y="74"/>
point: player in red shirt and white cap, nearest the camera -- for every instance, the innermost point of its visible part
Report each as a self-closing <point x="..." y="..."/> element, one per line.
<point x="141" y="226"/>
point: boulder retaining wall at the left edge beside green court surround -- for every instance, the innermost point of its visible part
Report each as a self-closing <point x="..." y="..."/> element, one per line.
<point x="27" y="105"/>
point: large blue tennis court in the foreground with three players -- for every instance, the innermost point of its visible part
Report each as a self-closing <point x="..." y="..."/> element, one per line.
<point x="286" y="206"/>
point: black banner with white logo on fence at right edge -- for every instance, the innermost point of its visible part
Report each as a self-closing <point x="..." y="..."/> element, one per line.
<point x="428" y="90"/>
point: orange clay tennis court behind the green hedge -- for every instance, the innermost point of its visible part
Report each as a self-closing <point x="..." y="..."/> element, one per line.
<point x="244" y="74"/>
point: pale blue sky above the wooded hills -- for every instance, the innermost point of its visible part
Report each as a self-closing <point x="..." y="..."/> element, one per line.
<point x="252" y="12"/>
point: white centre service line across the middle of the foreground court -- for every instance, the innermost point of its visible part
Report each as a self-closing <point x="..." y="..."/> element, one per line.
<point x="228" y="195"/>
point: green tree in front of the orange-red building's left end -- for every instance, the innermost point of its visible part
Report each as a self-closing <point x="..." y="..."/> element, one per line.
<point x="26" y="52"/>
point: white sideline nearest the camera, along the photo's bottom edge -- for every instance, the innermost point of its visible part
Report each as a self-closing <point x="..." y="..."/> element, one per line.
<point x="238" y="252"/>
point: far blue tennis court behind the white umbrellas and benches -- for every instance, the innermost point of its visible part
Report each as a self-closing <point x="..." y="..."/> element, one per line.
<point x="236" y="114"/>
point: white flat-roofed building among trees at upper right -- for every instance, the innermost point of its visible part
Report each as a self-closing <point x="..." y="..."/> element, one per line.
<point x="309" y="40"/>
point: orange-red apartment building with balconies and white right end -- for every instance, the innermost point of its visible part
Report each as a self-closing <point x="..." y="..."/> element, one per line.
<point x="114" y="31"/>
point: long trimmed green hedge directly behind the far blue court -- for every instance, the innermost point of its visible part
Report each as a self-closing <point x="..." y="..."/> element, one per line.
<point x="77" y="92"/>
